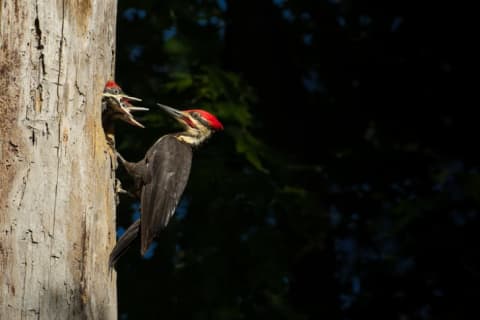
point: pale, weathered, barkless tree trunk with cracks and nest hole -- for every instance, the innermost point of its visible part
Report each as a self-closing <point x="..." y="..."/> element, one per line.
<point x="57" y="199"/>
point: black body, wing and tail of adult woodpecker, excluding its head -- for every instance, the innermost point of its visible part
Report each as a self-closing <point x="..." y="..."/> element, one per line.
<point x="160" y="179"/>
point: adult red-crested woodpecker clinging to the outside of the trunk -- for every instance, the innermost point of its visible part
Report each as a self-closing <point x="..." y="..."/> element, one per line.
<point x="161" y="176"/>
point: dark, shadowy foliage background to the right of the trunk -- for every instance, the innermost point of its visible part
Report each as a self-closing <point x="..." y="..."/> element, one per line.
<point x="346" y="184"/>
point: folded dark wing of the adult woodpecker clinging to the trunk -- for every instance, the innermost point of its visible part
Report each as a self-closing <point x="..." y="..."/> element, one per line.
<point x="168" y="164"/>
